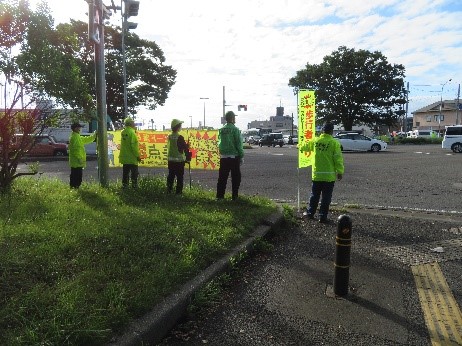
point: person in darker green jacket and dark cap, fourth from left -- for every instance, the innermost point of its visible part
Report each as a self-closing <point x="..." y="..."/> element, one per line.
<point x="231" y="156"/>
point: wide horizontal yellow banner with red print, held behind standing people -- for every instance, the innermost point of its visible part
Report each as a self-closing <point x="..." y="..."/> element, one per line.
<point x="153" y="148"/>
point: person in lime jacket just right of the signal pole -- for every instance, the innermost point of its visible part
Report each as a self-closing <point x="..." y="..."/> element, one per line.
<point x="129" y="155"/>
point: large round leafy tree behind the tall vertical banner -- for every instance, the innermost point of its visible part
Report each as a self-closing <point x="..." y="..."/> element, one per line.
<point x="355" y="87"/>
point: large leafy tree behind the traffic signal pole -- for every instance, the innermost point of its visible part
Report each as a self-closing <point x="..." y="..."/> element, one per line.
<point x="149" y="80"/>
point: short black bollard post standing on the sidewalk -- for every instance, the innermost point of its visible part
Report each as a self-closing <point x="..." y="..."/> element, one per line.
<point x="342" y="255"/>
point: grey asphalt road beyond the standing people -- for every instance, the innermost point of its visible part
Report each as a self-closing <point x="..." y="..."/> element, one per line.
<point x="416" y="177"/>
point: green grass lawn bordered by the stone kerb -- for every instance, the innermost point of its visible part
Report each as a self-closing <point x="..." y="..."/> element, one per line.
<point x="76" y="266"/>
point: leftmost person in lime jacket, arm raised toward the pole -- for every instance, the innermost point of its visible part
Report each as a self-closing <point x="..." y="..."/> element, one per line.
<point x="77" y="154"/>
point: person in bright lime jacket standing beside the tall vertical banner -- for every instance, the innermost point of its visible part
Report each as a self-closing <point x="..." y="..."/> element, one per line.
<point x="326" y="169"/>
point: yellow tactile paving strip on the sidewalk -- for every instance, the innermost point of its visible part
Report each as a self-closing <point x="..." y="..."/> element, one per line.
<point x="441" y="311"/>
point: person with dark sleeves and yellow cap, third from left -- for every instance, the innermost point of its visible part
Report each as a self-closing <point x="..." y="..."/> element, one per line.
<point x="177" y="153"/>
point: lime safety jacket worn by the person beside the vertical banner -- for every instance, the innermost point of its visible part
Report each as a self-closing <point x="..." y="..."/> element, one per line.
<point x="328" y="158"/>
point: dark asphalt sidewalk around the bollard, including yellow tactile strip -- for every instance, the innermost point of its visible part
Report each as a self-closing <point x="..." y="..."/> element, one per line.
<point x="404" y="288"/>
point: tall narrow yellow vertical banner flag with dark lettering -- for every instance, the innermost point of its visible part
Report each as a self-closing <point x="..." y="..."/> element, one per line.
<point x="306" y="125"/>
